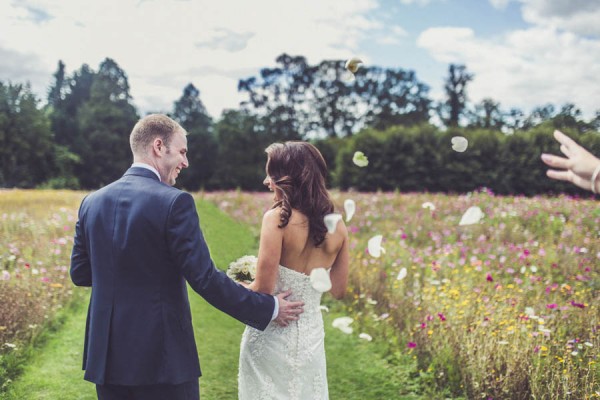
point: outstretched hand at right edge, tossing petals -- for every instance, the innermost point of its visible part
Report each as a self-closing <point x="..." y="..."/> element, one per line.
<point x="577" y="167"/>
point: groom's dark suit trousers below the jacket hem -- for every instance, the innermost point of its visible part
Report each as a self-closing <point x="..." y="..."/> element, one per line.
<point x="184" y="391"/>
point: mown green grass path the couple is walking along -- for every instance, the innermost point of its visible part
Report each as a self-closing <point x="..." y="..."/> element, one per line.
<point x="355" y="369"/>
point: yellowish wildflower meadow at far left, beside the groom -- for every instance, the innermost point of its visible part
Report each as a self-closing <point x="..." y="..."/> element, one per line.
<point x="36" y="229"/>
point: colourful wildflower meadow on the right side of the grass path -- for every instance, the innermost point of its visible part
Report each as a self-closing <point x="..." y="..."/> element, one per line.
<point x="505" y="308"/>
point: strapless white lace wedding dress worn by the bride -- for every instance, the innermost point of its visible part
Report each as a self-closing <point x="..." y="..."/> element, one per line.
<point x="286" y="363"/>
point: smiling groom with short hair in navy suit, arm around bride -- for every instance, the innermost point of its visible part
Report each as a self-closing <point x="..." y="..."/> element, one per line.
<point x="137" y="242"/>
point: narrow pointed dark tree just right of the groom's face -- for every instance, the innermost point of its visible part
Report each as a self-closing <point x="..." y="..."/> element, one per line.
<point x="190" y="112"/>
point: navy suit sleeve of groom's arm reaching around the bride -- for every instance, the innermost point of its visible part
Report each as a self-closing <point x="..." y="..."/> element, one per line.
<point x="190" y="252"/>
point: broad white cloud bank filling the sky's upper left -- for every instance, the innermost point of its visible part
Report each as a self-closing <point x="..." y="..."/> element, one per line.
<point x="171" y="39"/>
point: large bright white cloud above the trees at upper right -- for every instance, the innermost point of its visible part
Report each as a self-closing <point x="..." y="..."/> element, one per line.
<point x="525" y="68"/>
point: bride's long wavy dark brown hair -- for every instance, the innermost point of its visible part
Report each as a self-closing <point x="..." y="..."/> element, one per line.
<point x="298" y="170"/>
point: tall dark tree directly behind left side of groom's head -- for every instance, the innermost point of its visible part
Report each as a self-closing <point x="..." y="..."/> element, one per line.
<point x="104" y="122"/>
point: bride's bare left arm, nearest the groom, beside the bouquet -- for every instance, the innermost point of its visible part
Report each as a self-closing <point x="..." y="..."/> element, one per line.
<point x="269" y="253"/>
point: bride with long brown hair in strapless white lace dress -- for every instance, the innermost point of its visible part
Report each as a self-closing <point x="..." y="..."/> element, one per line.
<point x="289" y="362"/>
